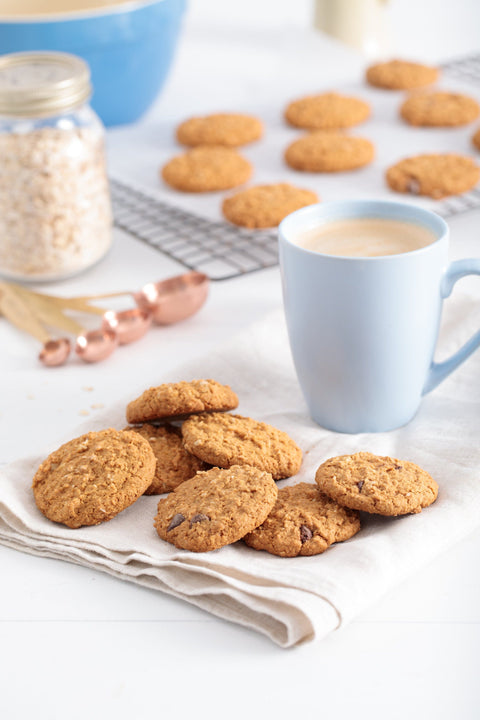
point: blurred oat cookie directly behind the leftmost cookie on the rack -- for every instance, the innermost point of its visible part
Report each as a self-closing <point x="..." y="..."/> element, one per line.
<point x="228" y="129"/>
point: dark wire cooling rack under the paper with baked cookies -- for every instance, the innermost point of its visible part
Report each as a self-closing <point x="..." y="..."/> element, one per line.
<point x="223" y="251"/>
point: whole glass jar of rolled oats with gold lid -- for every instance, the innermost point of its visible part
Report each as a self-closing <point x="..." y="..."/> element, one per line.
<point x="55" y="212"/>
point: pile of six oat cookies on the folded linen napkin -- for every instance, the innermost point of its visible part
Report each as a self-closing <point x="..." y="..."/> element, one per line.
<point x="220" y="472"/>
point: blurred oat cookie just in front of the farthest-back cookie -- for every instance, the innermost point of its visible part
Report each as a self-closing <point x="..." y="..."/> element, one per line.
<point x="439" y="109"/>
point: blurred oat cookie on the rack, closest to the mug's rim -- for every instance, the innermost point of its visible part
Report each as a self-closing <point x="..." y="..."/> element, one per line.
<point x="264" y="206"/>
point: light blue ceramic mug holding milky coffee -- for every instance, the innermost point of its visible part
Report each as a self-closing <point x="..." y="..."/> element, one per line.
<point x="363" y="330"/>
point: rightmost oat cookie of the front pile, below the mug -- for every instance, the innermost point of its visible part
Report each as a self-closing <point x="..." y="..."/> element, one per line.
<point x="381" y="485"/>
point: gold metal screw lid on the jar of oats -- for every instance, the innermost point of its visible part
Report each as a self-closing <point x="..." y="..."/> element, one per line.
<point x="41" y="84"/>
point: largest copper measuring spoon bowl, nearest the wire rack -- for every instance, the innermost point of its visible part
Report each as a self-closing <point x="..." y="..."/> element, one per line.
<point x="174" y="299"/>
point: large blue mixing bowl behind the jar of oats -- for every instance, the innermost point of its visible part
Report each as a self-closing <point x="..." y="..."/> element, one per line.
<point x="129" y="47"/>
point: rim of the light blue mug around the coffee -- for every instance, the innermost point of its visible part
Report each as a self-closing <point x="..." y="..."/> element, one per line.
<point x="427" y="218"/>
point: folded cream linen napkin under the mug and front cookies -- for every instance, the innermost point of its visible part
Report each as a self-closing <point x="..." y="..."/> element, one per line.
<point x="289" y="599"/>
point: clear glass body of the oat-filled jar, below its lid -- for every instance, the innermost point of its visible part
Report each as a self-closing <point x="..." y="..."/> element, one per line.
<point x="55" y="212"/>
